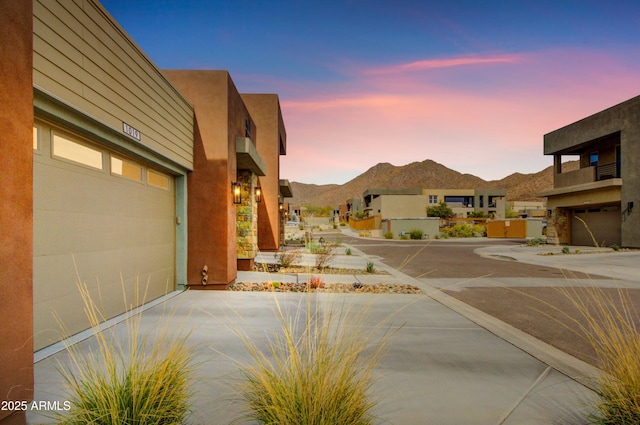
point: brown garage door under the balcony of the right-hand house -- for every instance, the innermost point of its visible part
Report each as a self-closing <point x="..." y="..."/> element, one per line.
<point x="603" y="222"/>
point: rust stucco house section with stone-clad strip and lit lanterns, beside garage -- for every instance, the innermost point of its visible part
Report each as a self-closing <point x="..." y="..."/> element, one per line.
<point x="221" y="239"/>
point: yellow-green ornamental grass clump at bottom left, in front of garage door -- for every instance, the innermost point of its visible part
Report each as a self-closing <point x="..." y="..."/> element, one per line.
<point x="145" y="380"/>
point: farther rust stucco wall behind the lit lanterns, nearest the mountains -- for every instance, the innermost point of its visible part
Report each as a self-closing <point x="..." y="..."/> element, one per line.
<point x="271" y="134"/>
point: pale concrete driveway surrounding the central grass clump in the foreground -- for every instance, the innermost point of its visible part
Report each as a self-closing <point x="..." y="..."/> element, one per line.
<point x="448" y="364"/>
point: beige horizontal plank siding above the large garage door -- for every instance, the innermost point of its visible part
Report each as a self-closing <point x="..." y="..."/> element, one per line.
<point x="83" y="57"/>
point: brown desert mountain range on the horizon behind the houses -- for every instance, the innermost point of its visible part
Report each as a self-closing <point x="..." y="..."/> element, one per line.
<point x="425" y="174"/>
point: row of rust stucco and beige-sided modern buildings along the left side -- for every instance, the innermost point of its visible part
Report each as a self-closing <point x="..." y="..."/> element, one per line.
<point x="119" y="174"/>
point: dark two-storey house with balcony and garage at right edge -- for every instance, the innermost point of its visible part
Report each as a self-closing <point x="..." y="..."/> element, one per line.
<point x="597" y="203"/>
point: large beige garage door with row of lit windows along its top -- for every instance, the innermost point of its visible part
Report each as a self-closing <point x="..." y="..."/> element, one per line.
<point x="100" y="217"/>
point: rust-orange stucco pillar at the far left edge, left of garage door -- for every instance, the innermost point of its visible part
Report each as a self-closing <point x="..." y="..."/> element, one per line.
<point x="16" y="192"/>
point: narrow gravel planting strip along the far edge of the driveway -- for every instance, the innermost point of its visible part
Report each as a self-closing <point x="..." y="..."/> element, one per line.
<point x="376" y="288"/>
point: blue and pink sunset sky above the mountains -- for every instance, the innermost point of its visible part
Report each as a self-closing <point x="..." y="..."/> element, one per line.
<point x="473" y="85"/>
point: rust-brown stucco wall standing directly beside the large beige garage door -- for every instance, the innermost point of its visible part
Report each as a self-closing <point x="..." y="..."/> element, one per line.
<point x="220" y="117"/>
